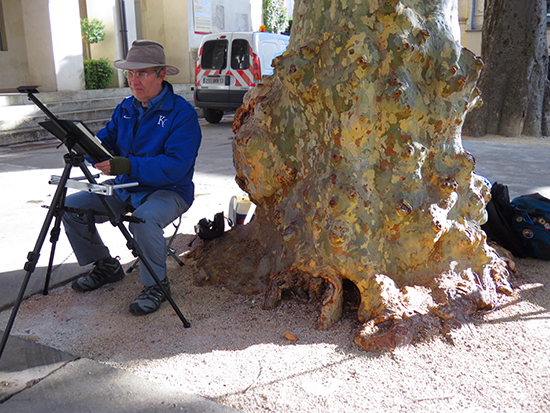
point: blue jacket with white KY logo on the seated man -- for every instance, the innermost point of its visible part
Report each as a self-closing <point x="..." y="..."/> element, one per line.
<point x="162" y="146"/>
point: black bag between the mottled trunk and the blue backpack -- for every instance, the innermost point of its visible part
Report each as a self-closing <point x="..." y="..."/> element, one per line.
<point x="499" y="226"/>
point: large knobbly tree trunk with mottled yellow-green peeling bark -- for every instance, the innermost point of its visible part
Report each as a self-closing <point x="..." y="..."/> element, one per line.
<point x="352" y="153"/>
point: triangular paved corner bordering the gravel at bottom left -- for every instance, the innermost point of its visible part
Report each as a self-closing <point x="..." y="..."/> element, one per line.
<point x="42" y="379"/>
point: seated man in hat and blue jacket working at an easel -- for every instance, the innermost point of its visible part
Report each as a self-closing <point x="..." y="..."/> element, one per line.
<point x="154" y="136"/>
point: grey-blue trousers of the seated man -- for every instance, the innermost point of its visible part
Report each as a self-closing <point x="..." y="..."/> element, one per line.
<point x="159" y="209"/>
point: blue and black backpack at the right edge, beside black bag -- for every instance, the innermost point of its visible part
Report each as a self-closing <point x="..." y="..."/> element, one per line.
<point x="531" y="223"/>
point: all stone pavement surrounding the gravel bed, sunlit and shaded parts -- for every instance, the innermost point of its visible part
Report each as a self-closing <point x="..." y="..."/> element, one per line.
<point x="37" y="378"/>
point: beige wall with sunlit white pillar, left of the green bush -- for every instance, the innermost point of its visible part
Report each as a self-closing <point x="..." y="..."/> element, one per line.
<point x="44" y="48"/>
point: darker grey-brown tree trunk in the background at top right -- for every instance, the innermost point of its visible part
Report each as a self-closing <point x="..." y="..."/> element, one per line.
<point x="515" y="79"/>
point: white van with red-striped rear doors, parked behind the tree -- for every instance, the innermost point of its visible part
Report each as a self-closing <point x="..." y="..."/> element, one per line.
<point x="229" y="64"/>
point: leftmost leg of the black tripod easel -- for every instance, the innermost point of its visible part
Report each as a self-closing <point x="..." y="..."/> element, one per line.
<point x="33" y="256"/>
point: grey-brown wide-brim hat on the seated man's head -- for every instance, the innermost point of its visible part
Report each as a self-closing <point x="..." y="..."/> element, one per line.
<point x="144" y="54"/>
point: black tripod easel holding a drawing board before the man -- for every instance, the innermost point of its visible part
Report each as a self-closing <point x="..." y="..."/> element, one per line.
<point x="78" y="145"/>
